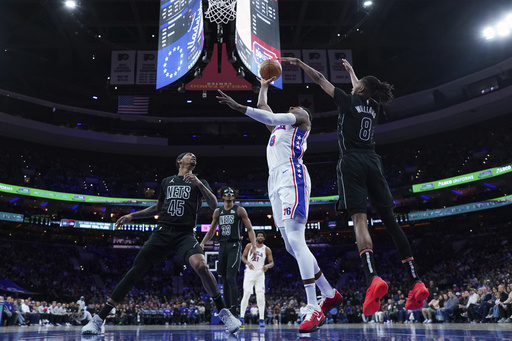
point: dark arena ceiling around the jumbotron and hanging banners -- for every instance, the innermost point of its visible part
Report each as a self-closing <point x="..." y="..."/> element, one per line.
<point x="49" y="52"/>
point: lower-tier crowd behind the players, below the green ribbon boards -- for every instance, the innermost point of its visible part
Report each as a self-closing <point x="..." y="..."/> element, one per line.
<point x="467" y="282"/>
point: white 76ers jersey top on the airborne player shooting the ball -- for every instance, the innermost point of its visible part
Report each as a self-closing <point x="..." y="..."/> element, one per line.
<point x="286" y="142"/>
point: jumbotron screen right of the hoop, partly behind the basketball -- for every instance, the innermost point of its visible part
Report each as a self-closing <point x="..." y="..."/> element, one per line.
<point x="257" y="34"/>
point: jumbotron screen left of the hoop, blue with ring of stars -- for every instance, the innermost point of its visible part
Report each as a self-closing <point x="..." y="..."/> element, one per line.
<point x="180" y="39"/>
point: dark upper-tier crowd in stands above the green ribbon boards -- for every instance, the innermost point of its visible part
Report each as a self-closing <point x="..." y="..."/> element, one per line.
<point x="425" y="159"/>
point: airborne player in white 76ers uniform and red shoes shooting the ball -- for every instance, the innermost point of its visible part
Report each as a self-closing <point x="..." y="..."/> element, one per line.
<point x="289" y="188"/>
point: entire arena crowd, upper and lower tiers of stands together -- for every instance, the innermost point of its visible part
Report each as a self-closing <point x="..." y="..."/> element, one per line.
<point x="468" y="281"/>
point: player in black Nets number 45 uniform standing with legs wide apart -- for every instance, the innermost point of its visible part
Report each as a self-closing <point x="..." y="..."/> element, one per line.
<point x="180" y="198"/>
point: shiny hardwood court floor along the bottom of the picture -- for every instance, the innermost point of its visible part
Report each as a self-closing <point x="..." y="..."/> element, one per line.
<point x="370" y="332"/>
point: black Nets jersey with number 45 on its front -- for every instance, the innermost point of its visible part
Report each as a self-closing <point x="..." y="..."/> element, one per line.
<point x="181" y="201"/>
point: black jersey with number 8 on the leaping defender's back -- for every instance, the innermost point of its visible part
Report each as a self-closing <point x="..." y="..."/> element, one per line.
<point x="357" y="118"/>
